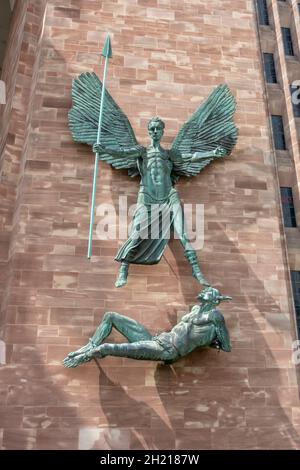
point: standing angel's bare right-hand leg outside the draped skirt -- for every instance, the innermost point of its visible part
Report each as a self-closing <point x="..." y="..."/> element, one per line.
<point x="190" y="253"/>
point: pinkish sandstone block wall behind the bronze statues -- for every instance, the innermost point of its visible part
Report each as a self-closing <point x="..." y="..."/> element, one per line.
<point x="167" y="57"/>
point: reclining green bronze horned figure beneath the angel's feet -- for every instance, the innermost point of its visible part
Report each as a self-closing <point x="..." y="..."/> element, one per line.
<point x="204" y="326"/>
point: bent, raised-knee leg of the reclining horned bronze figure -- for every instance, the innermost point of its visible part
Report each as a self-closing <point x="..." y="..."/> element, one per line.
<point x="131" y="329"/>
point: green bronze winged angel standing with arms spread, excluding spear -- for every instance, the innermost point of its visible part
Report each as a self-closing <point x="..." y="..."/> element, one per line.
<point x="209" y="134"/>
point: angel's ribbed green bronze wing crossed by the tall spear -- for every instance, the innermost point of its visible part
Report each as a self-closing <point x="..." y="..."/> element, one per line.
<point x="116" y="131"/>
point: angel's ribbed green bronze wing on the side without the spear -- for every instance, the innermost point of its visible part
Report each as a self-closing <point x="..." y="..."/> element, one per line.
<point x="211" y="126"/>
